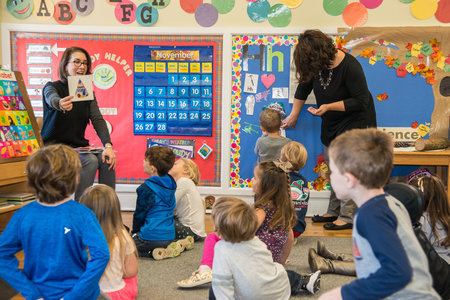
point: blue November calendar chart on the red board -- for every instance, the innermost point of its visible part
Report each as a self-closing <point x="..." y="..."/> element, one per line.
<point x="173" y="90"/>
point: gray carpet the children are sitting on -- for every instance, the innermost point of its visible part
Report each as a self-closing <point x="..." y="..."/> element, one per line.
<point x="157" y="279"/>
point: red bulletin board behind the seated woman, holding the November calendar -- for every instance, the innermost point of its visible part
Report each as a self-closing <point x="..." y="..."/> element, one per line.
<point x="37" y="56"/>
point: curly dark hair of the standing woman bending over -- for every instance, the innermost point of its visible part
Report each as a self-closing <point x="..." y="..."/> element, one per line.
<point x="313" y="53"/>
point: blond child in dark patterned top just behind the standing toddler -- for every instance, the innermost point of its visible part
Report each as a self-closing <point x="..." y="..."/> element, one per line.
<point x="295" y="153"/>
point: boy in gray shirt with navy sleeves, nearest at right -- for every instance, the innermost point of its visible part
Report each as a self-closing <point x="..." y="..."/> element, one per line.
<point x="389" y="260"/>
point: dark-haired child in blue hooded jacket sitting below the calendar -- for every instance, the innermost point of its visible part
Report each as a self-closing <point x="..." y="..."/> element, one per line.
<point x="153" y="220"/>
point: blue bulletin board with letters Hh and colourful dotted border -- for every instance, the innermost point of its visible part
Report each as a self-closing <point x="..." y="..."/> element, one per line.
<point x="261" y="75"/>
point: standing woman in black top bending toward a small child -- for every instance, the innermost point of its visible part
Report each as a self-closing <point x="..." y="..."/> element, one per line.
<point x="343" y="102"/>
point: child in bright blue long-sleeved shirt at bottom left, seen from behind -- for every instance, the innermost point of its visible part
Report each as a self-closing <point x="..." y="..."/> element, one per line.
<point x="54" y="232"/>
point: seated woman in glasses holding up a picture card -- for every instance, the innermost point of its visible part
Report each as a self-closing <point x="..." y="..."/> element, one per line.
<point x="65" y="121"/>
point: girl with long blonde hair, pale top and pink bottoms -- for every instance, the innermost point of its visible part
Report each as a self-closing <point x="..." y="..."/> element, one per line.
<point x="119" y="281"/>
